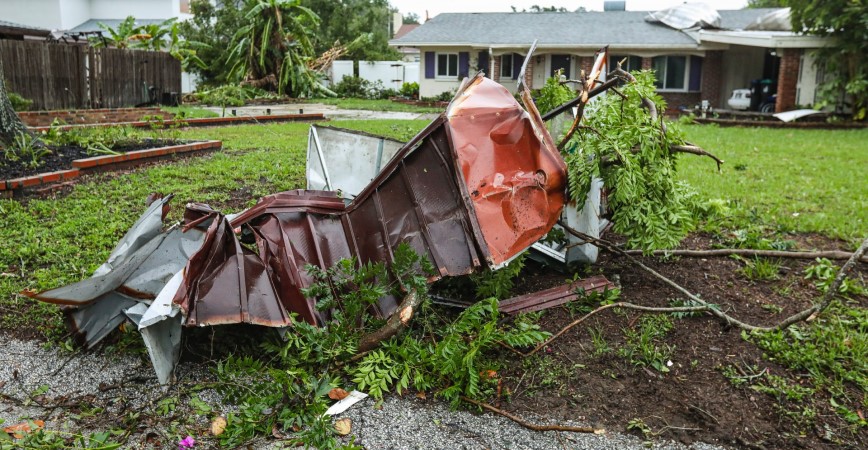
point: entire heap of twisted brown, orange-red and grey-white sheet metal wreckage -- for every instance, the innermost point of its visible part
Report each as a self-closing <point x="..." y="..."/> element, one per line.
<point x="450" y="193"/>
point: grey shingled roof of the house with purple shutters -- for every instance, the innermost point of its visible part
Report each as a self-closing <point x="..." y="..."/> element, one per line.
<point x="583" y="29"/>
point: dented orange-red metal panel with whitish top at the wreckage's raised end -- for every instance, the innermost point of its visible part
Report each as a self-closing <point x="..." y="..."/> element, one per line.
<point x="515" y="177"/>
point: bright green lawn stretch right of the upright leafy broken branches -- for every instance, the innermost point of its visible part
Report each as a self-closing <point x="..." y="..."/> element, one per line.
<point x="802" y="180"/>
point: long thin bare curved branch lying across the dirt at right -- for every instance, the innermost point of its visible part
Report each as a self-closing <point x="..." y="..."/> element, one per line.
<point x="729" y="320"/>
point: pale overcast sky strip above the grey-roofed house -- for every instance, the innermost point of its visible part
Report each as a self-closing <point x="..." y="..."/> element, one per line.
<point x="439" y="6"/>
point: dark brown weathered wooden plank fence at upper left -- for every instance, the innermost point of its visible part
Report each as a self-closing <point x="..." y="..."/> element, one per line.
<point x="62" y="76"/>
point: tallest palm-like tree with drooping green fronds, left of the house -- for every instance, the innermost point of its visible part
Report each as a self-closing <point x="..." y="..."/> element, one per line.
<point x="276" y="42"/>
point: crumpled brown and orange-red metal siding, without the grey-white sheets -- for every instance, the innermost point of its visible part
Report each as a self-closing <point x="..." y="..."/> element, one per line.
<point x="472" y="190"/>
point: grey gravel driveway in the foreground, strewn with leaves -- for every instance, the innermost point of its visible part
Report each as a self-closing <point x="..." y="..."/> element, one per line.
<point x="124" y="383"/>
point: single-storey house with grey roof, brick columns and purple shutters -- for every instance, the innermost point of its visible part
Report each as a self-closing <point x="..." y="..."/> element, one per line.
<point x="692" y="63"/>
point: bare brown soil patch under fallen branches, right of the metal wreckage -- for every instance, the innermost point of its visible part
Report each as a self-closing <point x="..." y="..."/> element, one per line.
<point x="695" y="401"/>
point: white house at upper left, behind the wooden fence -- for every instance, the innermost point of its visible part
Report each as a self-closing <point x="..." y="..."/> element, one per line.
<point x="84" y="15"/>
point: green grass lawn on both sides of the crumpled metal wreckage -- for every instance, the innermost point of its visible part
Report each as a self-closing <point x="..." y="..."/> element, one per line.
<point x="46" y="243"/>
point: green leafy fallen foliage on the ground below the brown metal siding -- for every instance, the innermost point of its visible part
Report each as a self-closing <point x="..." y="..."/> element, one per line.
<point x="288" y="386"/>
